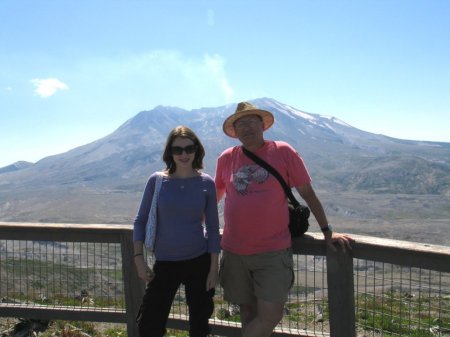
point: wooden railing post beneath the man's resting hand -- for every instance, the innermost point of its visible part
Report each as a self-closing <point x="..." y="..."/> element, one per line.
<point x="341" y="293"/>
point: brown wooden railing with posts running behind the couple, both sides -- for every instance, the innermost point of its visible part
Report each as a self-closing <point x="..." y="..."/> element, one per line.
<point x="339" y="274"/>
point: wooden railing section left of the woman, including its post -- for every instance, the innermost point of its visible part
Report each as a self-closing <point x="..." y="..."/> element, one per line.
<point x="133" y="287"/>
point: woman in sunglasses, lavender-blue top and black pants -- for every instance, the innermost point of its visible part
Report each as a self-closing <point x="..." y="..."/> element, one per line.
<point x="185" y="250"/>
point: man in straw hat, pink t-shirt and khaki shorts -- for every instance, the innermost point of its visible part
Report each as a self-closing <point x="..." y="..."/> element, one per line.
<point x="257" y="265"/>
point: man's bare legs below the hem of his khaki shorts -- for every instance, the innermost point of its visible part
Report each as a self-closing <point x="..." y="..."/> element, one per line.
<point x="260" y="318"/>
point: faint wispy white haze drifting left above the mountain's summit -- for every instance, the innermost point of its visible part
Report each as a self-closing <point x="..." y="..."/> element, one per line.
<point x="165" y="76"/>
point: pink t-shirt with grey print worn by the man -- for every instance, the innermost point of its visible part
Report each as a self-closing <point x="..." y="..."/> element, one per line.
<point x="256" y="214"/>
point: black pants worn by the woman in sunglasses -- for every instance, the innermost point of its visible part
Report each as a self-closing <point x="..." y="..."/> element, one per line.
<point x="161" y="291"/>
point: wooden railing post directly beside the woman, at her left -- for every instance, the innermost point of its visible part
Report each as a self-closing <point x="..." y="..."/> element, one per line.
<point x="134" y="286"/>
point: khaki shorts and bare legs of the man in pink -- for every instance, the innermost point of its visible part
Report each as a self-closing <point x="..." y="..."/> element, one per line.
<point x="261" y="283"/>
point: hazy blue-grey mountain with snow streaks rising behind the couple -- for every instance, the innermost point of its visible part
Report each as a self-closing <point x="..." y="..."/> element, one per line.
<point x="358" y="175"/>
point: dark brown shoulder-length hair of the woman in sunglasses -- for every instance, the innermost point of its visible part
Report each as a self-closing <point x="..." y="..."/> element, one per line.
<point x="185" y="132"/>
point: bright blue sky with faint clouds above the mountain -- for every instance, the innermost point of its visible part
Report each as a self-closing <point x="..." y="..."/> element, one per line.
<point x="73" y="71"/>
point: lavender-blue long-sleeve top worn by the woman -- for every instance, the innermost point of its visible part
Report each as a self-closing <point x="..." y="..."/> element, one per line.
<point x="188" y="221"/>
